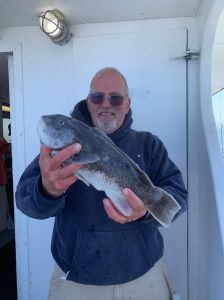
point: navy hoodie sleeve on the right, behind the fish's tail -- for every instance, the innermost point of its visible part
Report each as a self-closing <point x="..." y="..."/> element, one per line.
<point x="165" y="174"/>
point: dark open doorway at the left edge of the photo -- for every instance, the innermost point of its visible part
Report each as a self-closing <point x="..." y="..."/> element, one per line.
<point x="8" y="288"/>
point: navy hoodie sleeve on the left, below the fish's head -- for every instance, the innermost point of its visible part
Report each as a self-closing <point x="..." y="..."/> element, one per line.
<point x="31" y="198"/>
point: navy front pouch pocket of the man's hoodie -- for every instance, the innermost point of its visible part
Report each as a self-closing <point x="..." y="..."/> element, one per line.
<point x="103" y="257"/>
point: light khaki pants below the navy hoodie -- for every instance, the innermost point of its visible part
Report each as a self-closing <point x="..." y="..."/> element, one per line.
<point x="154" y="285"/>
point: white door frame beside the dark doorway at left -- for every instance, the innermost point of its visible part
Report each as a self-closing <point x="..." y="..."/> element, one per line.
<point x="14" y="50"/>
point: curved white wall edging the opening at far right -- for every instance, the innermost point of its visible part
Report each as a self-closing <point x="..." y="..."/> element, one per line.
<point x="210" y="257"/>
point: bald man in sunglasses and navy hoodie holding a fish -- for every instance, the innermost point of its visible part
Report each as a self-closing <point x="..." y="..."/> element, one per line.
<point x="101" y="253"/>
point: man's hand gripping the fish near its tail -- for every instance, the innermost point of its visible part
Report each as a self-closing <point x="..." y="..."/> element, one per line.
<point x="137" y="205"/>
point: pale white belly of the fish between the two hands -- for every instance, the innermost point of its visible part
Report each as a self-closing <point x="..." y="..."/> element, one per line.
<point x="102" y="183"/>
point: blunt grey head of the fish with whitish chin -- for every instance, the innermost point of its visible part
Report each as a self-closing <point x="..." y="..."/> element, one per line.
<point x="58" y="131"/>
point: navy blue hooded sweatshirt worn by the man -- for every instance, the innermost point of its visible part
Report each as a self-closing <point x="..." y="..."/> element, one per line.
<point x="86" y="244"/>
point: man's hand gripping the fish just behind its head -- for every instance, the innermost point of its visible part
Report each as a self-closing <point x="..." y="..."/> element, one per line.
<point x="57" y="178"/>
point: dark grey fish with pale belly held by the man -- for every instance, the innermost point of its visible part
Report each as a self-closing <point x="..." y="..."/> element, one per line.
<point x="106" y="167"/>
